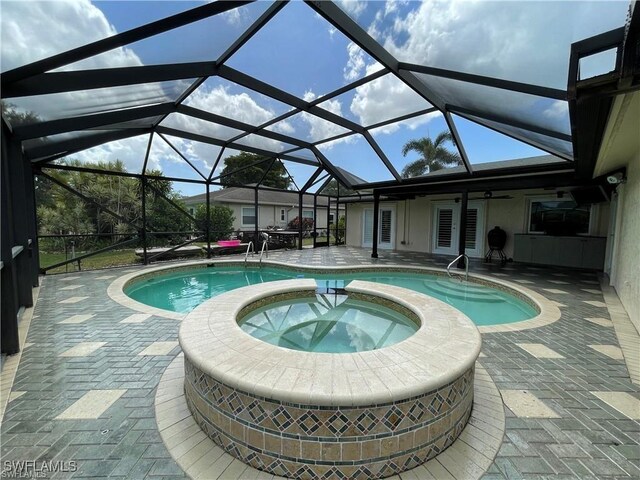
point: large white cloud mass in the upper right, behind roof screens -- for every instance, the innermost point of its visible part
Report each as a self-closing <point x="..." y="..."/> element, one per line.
<point x="522" y="41"/>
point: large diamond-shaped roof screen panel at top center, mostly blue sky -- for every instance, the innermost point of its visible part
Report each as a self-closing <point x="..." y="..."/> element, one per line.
<point x="306" y="70"/>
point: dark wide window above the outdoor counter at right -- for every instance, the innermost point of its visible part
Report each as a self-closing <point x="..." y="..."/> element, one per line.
<point x="558" y="217"/>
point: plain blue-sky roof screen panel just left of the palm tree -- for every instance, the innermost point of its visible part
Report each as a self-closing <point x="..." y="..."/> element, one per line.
<point x="355" y="155"/>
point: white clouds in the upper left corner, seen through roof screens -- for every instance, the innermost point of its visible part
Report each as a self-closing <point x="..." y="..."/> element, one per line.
<point x="35" y="30"/>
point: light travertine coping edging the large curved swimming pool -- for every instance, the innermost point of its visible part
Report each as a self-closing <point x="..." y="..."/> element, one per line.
<point x="549" y="311"/>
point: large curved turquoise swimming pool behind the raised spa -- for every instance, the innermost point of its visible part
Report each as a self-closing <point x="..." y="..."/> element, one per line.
<point x="181" y="291"/>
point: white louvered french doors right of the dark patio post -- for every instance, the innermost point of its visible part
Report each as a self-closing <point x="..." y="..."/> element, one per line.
<point x="446" y="224"/>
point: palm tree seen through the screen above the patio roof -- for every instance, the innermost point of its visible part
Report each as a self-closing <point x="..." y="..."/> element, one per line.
<point x="434" y="155"/>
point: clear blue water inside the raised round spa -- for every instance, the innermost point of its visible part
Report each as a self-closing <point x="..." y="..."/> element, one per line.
<point x="328" y="323"/>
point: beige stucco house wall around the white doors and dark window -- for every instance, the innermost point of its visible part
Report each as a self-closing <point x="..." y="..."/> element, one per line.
<point x="414" y="219"/>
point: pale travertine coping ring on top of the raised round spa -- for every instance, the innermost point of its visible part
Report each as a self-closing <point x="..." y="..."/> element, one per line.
<point x="444" y="347"/>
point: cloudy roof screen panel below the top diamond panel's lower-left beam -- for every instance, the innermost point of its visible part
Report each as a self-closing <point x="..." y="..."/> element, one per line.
<point x="219" y="96"/>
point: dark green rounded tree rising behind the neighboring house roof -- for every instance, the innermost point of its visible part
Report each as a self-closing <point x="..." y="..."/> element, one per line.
<point x="250" y="174"/>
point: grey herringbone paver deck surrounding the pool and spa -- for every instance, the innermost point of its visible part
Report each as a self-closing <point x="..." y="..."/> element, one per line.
<point x="588" y="439"/>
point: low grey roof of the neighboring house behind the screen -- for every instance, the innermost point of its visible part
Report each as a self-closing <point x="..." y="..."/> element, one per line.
<point x="246" y="196"/>
